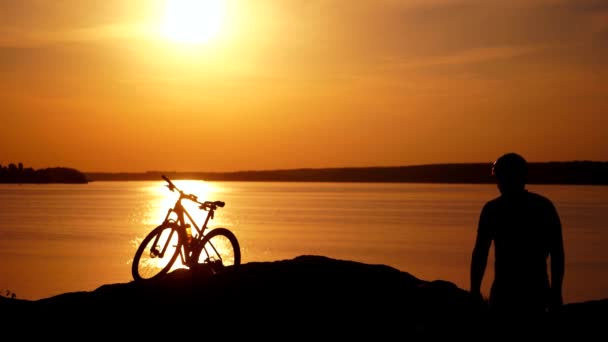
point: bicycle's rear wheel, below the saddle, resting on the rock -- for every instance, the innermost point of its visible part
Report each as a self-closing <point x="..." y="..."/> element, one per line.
<point x="220" y="249"/>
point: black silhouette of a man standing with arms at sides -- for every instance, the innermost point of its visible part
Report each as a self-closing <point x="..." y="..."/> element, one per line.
<point x="526" y="231"/>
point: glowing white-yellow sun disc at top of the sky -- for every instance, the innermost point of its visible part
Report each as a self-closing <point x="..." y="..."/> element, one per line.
<point x="192" y="21"/>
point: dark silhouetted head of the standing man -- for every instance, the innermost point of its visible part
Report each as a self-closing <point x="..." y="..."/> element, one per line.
<point x="510" y="171"/>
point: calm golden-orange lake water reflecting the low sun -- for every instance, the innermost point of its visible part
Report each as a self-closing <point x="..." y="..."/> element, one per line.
<point x="58" y="238"/>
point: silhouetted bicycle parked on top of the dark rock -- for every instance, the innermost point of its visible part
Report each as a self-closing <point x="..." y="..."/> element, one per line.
<point x="158" y="251"/>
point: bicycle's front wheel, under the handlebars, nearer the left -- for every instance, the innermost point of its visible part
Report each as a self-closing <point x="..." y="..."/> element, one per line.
<point x="156" y="253"/>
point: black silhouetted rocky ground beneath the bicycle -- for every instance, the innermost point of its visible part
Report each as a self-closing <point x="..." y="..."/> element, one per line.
<point x="302" y="298"/>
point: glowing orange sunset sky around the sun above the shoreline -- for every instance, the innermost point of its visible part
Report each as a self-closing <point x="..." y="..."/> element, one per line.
<point x="95" y="85"/>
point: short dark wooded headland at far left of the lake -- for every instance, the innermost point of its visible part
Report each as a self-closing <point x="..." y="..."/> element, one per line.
<point x="18" y="174"/>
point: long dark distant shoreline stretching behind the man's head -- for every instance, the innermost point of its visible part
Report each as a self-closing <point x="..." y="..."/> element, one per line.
<point x="572" y="173"/>
